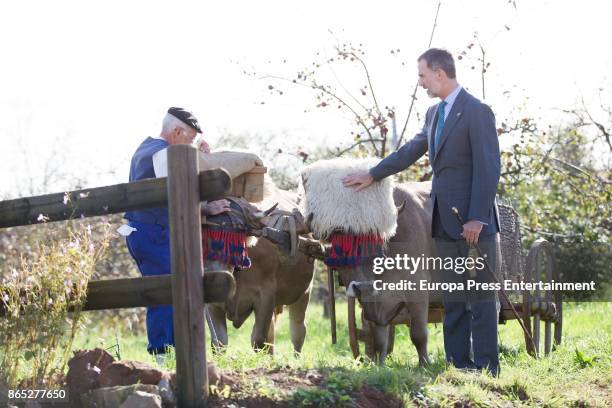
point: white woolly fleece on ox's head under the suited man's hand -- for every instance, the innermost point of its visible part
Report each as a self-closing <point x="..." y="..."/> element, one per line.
<point x="369" y="211"/>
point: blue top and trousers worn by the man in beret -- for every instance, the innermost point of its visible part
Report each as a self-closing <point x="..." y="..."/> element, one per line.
<point x="149" y="245"/>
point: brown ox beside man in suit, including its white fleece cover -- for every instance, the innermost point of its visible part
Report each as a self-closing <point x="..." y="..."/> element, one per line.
<point x="330" y="207"/>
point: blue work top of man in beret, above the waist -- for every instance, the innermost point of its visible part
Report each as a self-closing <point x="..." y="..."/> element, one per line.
<point x="142" y="168"/>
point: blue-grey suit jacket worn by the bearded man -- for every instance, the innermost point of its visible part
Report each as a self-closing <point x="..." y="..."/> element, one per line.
<point x="466" y="163"/>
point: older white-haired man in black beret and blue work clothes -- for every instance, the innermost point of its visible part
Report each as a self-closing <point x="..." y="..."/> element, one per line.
<point x="149" y="241"/>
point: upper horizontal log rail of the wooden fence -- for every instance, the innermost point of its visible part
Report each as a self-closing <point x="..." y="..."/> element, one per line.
<point x="118" y="198"/>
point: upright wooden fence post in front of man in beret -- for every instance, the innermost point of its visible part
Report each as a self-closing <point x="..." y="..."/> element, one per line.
<point x="187" y="272"/>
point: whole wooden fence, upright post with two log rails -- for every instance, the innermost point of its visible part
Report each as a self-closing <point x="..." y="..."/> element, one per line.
<point x="187" y="288"/>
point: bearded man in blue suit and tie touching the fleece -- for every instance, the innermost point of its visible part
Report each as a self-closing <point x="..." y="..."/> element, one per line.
<point x="460" y="135"/>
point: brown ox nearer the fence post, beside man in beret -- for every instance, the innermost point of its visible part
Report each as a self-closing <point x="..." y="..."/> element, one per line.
<point x="272" y="281"/>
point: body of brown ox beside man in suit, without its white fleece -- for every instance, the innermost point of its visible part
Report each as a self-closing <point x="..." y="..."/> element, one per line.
<point x="381" y="308"/>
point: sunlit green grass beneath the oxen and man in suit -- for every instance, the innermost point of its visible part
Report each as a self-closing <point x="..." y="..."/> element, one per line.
<point x="578" y="373"/>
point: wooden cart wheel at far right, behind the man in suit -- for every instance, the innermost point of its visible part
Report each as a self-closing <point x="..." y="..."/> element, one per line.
<point x="541" y="307"/>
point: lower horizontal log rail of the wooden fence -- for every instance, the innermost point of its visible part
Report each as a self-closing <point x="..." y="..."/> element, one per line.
<point x="149" y="291"/>
